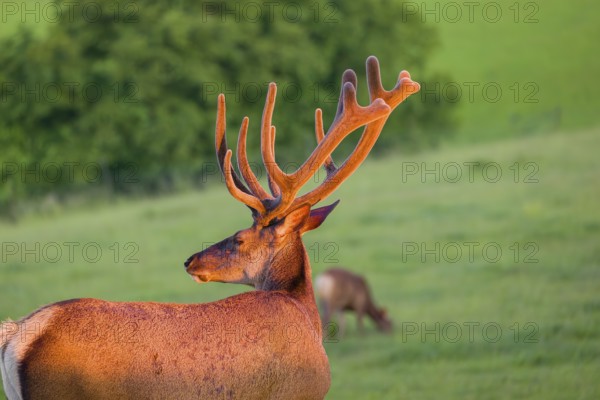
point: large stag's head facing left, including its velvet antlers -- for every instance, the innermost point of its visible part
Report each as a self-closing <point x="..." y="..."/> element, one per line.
<point x="269" y="254"/>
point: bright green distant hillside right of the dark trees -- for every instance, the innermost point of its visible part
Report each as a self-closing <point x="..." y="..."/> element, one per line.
<point x="541" y="55"/>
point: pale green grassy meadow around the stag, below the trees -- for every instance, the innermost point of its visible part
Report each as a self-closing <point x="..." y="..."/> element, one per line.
<point x="523" y="323"/>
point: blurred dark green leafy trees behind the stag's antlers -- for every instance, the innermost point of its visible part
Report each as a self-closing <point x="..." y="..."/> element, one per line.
<point x="120" y="96"/>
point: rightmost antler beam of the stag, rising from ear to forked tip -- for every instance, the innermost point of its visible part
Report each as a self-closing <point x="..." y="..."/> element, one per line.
<point x="404" y="88"/>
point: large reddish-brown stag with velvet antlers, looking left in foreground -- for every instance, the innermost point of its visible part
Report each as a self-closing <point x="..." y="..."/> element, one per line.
<point x="262" y="344"/>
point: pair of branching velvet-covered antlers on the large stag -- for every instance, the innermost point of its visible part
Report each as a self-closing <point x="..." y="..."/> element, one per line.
<point x="349" y="117"/>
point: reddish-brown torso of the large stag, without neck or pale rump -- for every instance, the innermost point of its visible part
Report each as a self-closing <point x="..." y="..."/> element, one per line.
<point x="93" y="349"/>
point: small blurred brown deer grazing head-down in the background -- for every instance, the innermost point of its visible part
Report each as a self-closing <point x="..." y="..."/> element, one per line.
<point x="340" y="290"/>
